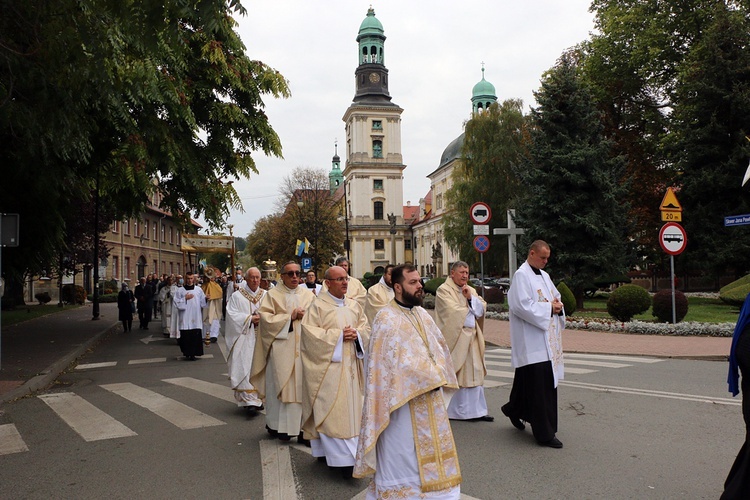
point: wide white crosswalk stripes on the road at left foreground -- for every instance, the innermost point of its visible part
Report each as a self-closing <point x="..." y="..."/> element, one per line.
<point x="92" y="423"/>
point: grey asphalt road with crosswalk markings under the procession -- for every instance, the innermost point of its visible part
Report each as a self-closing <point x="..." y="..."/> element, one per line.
<point x="632" y="428"/>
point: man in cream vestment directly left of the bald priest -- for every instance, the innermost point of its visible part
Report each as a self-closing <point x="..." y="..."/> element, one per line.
<point x="277" y="367"/>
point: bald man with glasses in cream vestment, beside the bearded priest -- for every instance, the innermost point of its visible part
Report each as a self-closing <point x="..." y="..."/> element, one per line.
<point x="334" y="341"/>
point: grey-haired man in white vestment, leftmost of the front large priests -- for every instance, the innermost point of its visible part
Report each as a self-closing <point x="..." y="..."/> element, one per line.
<point x="241" y="322"/>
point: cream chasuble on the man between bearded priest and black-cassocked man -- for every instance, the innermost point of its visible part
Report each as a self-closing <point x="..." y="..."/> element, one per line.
<point x="466" y="344"/>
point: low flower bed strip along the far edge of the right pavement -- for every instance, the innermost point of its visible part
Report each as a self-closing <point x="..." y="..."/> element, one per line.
<point x="641" y="327"/>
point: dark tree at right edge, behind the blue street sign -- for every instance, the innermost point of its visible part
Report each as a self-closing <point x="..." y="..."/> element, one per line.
<point x="711" y="120"/>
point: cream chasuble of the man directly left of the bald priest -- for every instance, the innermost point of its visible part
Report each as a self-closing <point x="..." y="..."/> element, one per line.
<point x="276" y="340"/>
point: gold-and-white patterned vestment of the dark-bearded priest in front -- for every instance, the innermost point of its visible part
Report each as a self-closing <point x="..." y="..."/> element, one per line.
<point x="407" y="361"/>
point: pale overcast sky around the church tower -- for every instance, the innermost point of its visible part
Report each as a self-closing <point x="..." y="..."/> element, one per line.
<point x="434" y="53"/>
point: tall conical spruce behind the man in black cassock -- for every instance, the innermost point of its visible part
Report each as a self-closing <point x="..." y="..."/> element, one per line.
<point x="574" y="197"/>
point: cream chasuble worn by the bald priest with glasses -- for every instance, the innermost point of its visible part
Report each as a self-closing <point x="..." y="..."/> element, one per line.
<point x="332" y="392"/>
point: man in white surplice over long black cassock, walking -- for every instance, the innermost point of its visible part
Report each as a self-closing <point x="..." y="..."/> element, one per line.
<point x="537" y="320"/>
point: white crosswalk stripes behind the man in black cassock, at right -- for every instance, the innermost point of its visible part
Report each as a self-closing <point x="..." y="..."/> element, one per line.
<point x="575" y="364"/>
